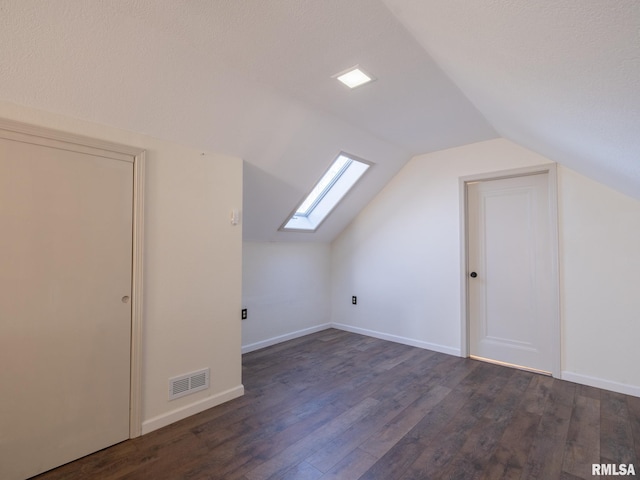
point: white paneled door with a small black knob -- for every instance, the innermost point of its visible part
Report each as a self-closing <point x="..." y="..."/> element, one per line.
<point x="510" y="279"/>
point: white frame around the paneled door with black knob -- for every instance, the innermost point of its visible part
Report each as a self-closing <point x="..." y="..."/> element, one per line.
<point x="551" y="170"/>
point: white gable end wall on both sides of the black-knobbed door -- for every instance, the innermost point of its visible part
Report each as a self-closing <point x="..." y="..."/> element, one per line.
<point x="402" y="255"/>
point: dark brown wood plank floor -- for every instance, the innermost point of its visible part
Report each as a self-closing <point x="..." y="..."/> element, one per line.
<point x="336" y="405"/>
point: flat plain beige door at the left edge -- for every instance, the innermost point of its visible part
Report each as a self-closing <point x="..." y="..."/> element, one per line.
<point x="65" y="315"/>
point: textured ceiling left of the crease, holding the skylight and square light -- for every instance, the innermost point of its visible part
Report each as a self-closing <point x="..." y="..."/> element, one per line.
<point x="250" y="78"/>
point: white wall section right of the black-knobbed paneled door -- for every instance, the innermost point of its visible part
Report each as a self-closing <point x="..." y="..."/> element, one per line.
<point x="600" y="267"/>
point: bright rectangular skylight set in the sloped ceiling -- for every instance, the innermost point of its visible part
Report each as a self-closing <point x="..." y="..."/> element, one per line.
<point x="327" y="193"/>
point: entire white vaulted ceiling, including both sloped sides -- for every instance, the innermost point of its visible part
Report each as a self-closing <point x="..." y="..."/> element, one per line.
<point x="253" y="78"/>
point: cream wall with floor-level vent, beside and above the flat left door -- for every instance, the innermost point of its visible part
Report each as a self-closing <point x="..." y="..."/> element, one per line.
<point x="192" y="270"/>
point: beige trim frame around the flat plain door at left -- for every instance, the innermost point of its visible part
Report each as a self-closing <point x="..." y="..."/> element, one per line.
<point x="14" y="130"/>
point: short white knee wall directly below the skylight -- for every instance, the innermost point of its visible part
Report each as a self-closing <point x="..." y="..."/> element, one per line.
<point x="285" y="290"/>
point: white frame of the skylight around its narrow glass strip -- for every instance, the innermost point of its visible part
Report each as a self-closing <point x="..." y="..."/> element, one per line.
<point x="329" y="197"/>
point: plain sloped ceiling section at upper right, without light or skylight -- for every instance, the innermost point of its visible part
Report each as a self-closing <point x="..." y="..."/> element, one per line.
<point x="559" y="77"/>
